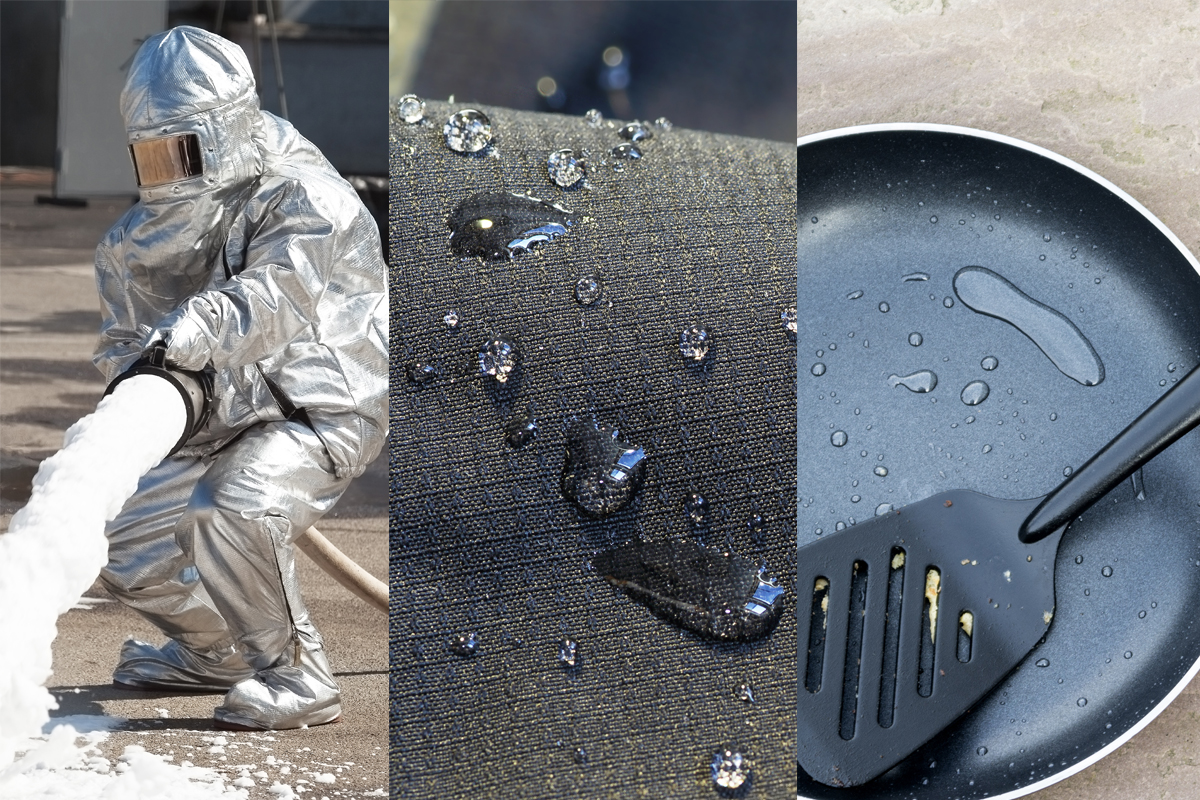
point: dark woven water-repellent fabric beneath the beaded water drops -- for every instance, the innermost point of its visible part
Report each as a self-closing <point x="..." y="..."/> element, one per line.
<point x="700" y="232"/>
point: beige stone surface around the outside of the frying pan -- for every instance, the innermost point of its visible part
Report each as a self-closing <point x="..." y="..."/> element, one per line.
<point x="1112" y="85"/>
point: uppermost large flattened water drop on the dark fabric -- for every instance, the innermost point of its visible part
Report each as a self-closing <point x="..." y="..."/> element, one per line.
<point x="497" y="225"/>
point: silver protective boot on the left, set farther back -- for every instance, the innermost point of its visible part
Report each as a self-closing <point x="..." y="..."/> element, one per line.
<point x="176" y="667"/>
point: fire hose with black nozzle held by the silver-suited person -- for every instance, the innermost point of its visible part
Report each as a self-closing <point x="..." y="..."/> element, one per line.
<point x="196" y="390"/>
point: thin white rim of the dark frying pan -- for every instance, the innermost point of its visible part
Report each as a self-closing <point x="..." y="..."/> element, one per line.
<point x="933" y="128"/>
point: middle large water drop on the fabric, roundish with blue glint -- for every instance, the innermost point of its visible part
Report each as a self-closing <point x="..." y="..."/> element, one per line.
<point x="602" y="474"/>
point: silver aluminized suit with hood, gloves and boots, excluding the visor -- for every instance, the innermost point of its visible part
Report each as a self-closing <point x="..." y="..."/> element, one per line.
<point x="266" y="270"/>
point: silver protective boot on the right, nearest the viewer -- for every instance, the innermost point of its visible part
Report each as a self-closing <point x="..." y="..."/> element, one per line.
<point x="301" y="695"/>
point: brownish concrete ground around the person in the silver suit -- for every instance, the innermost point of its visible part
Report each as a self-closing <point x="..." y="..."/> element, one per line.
<point x="49" y="321"/>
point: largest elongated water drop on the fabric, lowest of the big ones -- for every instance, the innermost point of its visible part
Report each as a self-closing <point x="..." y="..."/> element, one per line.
<point x="718" y="596"/>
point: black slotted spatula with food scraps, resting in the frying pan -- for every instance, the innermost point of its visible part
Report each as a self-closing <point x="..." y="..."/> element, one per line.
<point x="907" y="621"/>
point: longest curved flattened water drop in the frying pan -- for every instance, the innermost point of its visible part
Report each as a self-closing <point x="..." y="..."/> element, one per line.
<point x="987" y="293"/>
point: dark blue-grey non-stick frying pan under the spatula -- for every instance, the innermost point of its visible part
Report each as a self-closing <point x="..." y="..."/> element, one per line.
<point x="883" y="204"/>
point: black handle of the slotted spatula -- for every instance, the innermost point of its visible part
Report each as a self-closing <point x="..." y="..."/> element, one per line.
<point x="1172" y="416"/>
